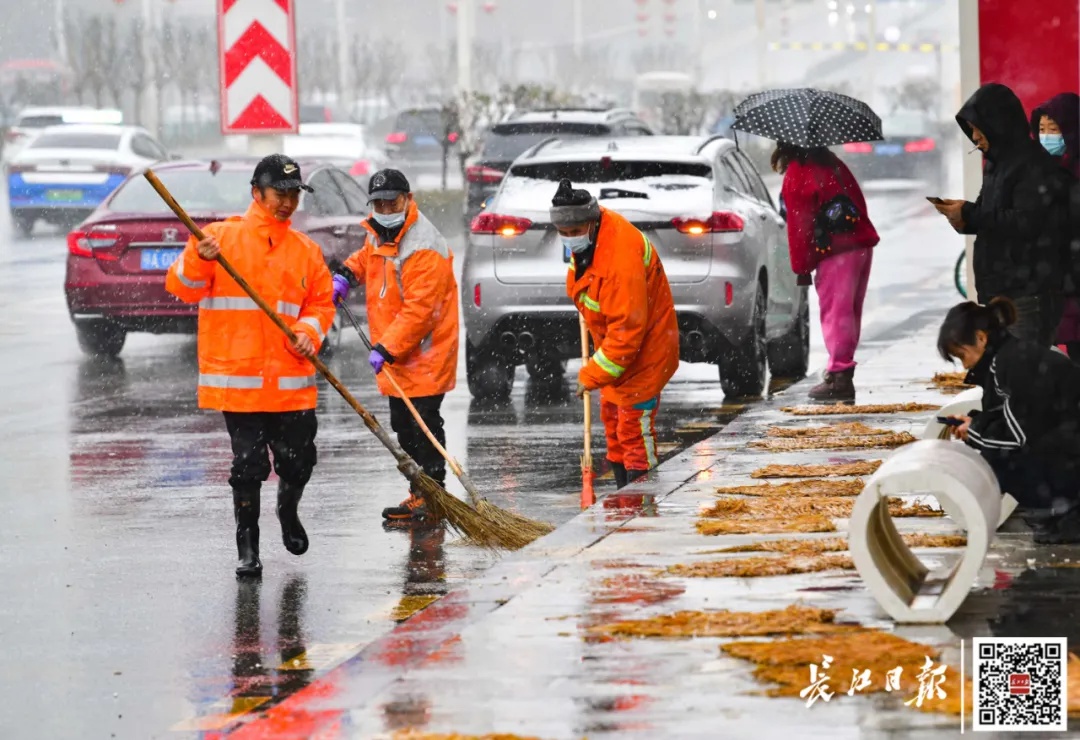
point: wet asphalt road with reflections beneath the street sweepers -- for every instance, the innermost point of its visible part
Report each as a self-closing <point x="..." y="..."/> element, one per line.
<point x="123" y="617"/>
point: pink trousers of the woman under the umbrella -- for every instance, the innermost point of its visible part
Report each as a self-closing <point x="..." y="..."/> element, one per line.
<point x="841" y="282"/>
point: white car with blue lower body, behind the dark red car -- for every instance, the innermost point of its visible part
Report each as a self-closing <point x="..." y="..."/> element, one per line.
<point x="65" y="172"/>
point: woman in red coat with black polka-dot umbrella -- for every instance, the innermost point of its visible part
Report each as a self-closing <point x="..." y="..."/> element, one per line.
<point x="830" y="233"/>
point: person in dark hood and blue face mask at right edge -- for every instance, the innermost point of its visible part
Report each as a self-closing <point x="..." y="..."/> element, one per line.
<point x="1057" y="125"/>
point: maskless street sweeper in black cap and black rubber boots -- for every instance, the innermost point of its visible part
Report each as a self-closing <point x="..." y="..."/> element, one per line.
<point x="264" y="384"/>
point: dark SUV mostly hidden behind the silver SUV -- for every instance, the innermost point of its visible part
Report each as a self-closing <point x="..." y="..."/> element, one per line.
<point x="508" y="140"/>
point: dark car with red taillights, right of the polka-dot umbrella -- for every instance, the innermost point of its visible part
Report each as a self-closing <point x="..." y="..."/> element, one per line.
<point x="912" y="150"/>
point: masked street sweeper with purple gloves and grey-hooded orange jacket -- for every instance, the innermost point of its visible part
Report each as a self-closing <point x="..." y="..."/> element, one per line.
<point x="408" y="271"/>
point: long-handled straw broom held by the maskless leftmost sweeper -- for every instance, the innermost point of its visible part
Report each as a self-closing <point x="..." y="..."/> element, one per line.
<point x="457" y="514"/>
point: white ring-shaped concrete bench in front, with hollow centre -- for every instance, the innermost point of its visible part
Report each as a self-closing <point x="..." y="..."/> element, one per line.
<point x="963" y="482"/>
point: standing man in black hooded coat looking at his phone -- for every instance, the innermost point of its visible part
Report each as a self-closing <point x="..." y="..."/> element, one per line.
<point x="1020" y="219"/>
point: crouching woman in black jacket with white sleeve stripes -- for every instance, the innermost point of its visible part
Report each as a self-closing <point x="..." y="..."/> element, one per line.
<point x="1029" y="430"/>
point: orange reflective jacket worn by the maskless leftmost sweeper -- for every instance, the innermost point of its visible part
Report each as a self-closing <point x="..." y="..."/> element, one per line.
<point x="246" y="362"/>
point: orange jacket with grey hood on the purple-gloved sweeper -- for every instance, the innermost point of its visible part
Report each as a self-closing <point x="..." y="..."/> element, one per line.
<point x="412" y="305"/>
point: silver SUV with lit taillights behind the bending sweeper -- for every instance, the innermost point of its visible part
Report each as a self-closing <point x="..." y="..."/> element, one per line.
<point x="708" y="213"/>
